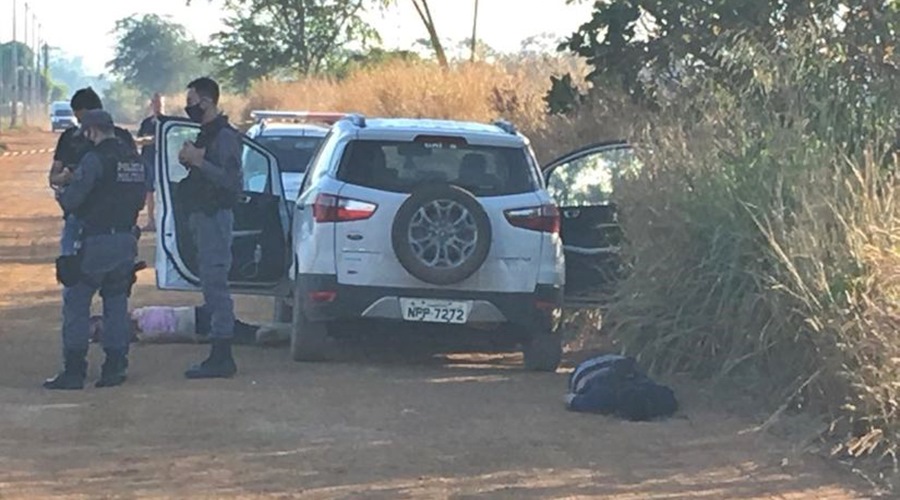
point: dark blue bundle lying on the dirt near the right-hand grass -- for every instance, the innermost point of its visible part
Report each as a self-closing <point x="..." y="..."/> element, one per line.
<point x="614" y="385"/>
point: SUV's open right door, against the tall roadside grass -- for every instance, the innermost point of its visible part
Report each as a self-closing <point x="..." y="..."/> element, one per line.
<point x="581" y="184"/>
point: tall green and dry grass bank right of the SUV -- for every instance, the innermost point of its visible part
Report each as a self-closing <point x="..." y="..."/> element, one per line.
<point x="764" y="234"/>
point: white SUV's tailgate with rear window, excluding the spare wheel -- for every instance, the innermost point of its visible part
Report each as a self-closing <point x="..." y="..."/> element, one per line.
<point x="364" y="252"/>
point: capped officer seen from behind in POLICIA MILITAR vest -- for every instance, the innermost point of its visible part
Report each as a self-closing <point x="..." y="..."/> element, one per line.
<point x="105" y="194"/>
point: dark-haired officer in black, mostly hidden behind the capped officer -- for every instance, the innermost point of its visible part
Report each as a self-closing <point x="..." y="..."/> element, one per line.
<point x="70" y="148"/>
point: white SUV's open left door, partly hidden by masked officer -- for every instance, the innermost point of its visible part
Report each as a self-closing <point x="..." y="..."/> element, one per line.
<point x="260" y="251"/>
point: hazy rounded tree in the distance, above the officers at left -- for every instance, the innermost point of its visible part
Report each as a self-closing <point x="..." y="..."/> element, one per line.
<point x="154" y="54"/>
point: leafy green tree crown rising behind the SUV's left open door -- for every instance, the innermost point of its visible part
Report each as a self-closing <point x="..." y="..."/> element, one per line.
<point x="271" y="37"/>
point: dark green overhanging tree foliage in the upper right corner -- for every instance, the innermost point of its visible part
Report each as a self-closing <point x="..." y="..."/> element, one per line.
<point x="639" y="44"/>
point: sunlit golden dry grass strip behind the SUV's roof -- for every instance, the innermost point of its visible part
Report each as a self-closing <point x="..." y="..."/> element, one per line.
<point x="512" y="90"/>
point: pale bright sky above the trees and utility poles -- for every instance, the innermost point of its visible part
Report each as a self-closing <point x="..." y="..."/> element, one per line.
<point x="82" y="27"/>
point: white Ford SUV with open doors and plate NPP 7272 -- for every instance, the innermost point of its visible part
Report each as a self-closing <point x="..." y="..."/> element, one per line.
<point x="417" y="221"/>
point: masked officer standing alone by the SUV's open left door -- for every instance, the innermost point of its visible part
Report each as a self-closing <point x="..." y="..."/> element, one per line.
<point x="210" y="192"/>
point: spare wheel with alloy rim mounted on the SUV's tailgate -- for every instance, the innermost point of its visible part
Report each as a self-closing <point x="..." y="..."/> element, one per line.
<point x="441" y="234"/>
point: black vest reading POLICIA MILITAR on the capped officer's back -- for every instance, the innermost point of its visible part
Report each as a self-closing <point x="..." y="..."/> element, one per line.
<point x="118" y="198"/>
